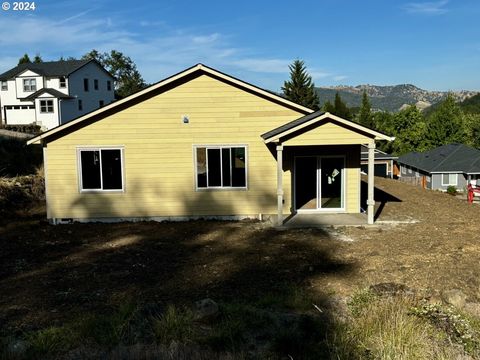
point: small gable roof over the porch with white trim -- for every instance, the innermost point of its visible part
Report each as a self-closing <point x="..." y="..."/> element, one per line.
<point x="318" y="116"/>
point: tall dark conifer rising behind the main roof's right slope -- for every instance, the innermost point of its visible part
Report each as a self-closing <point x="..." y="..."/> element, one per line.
<point x="300" y="88"/>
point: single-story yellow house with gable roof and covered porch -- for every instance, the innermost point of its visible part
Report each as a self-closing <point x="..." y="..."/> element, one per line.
<point x="204" y="144"/>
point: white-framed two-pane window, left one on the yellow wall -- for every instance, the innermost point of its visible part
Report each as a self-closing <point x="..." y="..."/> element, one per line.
<point x="101" y="169"/>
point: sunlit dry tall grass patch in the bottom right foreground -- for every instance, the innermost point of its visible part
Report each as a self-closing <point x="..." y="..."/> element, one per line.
<point x="384" y="328"/>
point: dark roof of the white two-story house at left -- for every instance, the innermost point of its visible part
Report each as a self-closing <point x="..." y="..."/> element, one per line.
<point x="49" y="68"/>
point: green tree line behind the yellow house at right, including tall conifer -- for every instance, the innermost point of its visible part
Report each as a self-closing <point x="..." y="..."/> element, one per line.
<point x="413" y="130"/>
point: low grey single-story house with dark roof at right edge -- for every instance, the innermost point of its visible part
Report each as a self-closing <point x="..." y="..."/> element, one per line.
<point x="444" y="166"/>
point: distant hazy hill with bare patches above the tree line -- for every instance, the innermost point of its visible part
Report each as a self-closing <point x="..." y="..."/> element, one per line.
<point x="389" y="98"/>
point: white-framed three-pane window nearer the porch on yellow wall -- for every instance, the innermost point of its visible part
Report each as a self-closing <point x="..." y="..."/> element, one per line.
<point x="221" y="167"/>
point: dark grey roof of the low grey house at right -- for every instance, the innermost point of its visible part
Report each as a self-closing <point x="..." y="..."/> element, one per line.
<point x="446" y="158"/>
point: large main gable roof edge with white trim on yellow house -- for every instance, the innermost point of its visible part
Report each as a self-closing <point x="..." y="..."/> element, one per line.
<point x="166" y="84"/>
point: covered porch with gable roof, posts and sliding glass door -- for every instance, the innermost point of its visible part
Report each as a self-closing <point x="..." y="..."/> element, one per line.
<point x="318" y="169"/>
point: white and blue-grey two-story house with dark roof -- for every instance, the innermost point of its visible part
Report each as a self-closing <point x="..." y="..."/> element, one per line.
<point x="52" y="93"/>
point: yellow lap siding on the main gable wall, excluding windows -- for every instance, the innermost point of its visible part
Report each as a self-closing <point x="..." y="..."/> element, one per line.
<point x="158" y="155"/>
